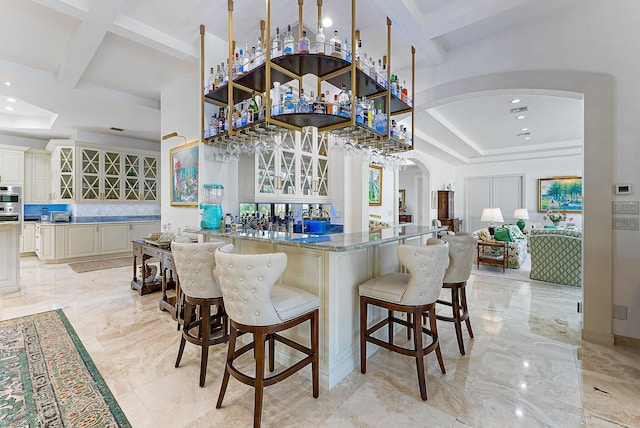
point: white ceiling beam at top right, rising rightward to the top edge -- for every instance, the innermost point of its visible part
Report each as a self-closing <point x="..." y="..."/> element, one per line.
<point x="462" y="13"/>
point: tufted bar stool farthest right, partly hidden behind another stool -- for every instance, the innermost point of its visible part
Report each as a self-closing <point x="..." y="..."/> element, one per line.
<point x="461" y="249"/>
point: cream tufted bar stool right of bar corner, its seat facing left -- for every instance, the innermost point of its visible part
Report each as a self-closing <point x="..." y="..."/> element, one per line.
<point x="415" y="294"/>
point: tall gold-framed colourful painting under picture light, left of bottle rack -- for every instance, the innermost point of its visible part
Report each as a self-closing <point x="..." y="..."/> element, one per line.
<point x="183" y="162"/>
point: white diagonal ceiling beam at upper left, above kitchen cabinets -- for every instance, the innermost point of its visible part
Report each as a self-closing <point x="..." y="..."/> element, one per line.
<point x="86" y="41"/>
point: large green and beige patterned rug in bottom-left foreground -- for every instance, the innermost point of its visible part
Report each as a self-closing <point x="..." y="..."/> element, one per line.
<point x="47" y="379"/>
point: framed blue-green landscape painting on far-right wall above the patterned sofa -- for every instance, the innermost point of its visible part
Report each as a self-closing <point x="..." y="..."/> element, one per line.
<point x="560" y="194"/>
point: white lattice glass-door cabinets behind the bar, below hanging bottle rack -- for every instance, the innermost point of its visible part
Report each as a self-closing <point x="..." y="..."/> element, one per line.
<point x="298" y="171"/>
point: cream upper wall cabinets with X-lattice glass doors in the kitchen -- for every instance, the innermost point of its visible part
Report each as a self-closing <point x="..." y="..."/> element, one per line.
<point x="88" y="173"/>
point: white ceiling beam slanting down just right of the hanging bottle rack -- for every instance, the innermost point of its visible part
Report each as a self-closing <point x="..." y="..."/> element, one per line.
<point x="411" y="26"/>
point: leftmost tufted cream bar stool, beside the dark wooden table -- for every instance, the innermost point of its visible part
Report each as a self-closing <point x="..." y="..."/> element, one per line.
<point x="195" y="265"/>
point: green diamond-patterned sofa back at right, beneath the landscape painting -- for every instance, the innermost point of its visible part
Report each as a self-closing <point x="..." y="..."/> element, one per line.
<point x="556" y="256"/>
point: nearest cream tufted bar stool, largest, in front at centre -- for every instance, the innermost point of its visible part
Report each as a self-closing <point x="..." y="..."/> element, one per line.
<point x="255" y="305"/>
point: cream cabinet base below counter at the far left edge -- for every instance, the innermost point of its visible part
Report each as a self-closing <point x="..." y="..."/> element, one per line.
<point x="9" y="257"/>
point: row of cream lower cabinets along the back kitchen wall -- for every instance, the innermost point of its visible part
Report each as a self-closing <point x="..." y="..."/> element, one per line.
<point x="59" y="243"/>
